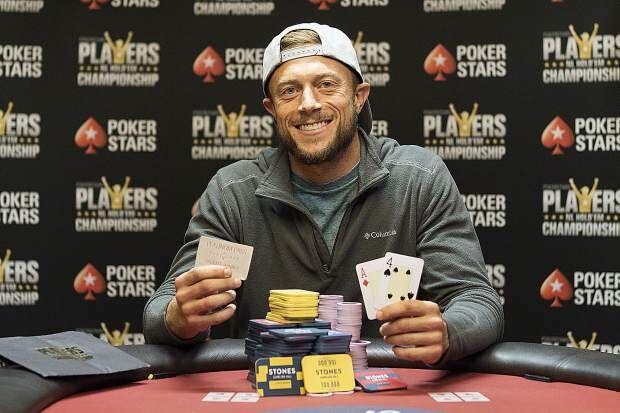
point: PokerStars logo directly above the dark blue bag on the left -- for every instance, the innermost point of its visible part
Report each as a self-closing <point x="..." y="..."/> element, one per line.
<point x="120" y="281"/>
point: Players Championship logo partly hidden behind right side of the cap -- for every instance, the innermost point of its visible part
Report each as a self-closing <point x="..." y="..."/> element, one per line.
<point x="374" y="60"/>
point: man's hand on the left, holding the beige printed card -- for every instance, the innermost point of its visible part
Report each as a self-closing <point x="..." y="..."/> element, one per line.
<point x="200" y="291"/>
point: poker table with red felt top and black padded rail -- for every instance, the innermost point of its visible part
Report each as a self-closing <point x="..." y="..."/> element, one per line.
<point x="513" y="376"/>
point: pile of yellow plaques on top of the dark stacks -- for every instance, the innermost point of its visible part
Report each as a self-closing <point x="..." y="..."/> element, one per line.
<point x="292" y="306"/>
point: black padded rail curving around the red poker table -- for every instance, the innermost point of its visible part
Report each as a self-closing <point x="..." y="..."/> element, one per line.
<point x="22" y="391"/>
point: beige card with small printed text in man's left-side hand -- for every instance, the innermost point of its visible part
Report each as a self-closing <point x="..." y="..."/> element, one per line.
<point x="213" y="251"/>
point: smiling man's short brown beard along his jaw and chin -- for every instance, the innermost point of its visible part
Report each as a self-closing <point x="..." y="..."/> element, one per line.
<point x="338" y="144"/>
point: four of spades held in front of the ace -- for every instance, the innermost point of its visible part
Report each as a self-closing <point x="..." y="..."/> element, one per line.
<point x="400" y="279"/>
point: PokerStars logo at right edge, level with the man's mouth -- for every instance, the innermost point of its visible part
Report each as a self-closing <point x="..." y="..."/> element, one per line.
<point x="594" y="134"/>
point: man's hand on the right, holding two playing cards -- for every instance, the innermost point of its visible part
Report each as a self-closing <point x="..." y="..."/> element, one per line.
<point x="416" y="329"/>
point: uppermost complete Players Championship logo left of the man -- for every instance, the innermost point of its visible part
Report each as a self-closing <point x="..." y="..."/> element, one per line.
<point x="117" y="62"/>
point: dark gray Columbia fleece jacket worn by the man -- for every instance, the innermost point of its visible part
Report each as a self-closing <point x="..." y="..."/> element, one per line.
<point x="407" y="203"/>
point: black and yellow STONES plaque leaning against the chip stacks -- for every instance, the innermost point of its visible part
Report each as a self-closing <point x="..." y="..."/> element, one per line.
<point x="279" y="376"/>
